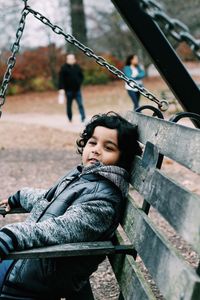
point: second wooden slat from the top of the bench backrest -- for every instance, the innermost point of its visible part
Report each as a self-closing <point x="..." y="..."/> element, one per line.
<point x="180" y="207"/>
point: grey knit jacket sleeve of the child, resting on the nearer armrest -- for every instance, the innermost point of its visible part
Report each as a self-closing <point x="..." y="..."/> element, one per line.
<point x="82" y="222"/>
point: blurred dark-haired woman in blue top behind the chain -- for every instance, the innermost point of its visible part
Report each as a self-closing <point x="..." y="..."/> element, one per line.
<point x="133" y="70"/>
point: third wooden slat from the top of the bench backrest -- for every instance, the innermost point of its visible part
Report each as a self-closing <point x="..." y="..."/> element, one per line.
<point x="172" y="275"/>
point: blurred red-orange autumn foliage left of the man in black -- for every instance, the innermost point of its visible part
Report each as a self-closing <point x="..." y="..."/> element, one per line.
<point x="34" y="69"/>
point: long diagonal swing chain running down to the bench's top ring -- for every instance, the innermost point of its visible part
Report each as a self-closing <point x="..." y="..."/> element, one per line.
<point x="162" y="104"/>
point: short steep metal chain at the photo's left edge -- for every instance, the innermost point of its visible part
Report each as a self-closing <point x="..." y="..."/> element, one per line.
<point x="12" y="59"/>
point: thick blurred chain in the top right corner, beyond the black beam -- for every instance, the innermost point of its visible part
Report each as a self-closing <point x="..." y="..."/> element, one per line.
<point x="175" y="28"/>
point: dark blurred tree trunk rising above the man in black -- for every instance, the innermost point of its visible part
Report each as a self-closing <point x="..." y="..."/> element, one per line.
<point x="78" y="22"/>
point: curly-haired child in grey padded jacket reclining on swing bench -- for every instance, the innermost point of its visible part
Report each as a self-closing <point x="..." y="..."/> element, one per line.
<point x="83" y="206"/>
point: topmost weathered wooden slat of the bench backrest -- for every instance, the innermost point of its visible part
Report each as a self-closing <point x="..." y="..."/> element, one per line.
<point x="175" y="141"/>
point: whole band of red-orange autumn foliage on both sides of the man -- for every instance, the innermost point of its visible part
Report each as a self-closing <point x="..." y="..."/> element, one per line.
<point x="37" y="69"/>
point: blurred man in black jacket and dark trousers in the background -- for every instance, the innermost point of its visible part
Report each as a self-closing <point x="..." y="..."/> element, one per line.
<point x="70" y="80"/>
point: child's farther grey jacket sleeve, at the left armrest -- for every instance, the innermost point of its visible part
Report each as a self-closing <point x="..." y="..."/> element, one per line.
<point x="26" y="198"/>
